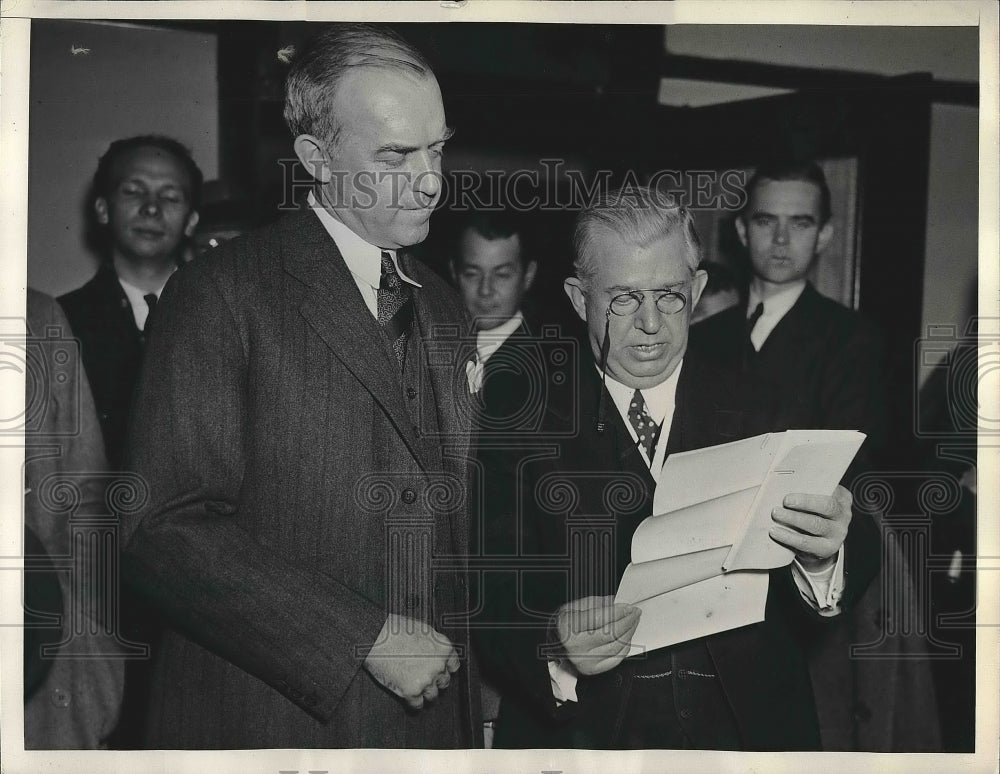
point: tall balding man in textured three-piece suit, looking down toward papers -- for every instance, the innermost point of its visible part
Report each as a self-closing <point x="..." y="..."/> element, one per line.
<point x="305" y="463"/>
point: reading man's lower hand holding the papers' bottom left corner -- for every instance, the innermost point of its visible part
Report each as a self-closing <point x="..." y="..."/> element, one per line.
<point x="595" y="633"/>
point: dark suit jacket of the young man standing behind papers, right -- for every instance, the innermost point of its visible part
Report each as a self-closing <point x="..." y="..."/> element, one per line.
<point x="823" y="359"/>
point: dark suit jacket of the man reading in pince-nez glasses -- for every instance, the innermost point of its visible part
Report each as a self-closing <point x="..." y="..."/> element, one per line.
<point x="568" y="477"/>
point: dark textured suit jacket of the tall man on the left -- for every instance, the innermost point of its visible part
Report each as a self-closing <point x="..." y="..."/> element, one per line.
<point x="298" y="492"/>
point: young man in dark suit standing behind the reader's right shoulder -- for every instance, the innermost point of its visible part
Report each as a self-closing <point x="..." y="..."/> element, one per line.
<point x="821" y="358"/>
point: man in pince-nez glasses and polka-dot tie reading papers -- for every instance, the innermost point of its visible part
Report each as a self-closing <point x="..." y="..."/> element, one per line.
<point x="561" y="505"/>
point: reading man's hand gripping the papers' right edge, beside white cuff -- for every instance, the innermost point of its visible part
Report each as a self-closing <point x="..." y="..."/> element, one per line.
<point x="813" y="526"/>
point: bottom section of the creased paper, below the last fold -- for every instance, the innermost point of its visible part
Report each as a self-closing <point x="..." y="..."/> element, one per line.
<point x="711" y="606"/>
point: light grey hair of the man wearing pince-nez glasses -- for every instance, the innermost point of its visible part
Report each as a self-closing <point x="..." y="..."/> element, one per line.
<point x="639" y="215"/>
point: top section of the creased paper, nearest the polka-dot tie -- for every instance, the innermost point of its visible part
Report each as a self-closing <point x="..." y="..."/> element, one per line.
<point x="704" y="474"/>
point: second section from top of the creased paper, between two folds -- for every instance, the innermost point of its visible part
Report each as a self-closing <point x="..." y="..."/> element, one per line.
<point x="697" y="527"/>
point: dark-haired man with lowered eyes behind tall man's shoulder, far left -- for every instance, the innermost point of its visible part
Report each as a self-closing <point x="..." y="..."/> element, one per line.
<point x="146" y="193"/>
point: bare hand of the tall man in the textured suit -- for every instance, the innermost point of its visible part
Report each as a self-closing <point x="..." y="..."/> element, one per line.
<point x="412" y="659"/>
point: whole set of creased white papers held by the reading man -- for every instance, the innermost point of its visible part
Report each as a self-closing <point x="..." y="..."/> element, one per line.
<point x="700" y="564"/>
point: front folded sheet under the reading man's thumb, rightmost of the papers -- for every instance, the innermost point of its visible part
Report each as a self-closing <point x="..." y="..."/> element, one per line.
<point x="811" y="461"/>
